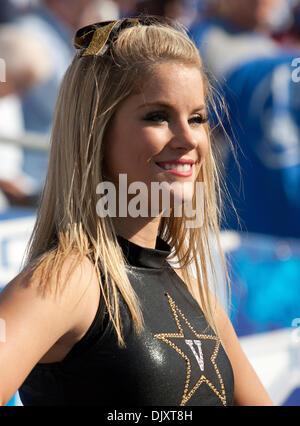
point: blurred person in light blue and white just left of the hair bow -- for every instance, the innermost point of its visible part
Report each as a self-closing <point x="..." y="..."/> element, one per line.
<point x="53" y="23"/>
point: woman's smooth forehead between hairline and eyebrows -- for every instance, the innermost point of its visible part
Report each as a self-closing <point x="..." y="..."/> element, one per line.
<point x="173" y="82"/>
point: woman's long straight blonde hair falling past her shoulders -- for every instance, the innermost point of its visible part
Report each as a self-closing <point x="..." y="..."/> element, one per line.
<point x="92" y="89"/>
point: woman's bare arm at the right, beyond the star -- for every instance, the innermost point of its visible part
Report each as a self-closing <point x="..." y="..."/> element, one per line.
<point x="248" y="389"/>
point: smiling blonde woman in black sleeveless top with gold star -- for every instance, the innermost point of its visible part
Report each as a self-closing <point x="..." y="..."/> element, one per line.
<point x="99" y="315"/>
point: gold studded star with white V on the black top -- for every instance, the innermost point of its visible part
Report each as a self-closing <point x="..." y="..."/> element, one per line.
<point x="171" y="340"/>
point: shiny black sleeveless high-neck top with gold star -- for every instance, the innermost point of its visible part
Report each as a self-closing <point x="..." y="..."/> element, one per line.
<point x="177" y="360"/>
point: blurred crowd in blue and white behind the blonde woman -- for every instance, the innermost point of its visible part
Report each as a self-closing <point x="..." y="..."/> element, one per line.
<point x="248" y="48"/>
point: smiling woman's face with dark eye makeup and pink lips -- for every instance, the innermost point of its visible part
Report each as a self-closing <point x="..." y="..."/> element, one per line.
<point x="162" y="126"/>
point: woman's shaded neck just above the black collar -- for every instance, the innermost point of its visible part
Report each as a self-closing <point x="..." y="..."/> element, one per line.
<point x="141" y="230"/>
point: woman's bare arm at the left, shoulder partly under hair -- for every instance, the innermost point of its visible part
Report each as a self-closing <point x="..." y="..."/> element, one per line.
<point x="32" y="323"/>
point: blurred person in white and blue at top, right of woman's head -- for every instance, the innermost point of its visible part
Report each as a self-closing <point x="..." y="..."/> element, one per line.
<point x="233" y="32"/>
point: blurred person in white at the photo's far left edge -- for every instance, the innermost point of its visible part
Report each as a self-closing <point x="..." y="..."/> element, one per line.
<point x="24" y="64"/>
